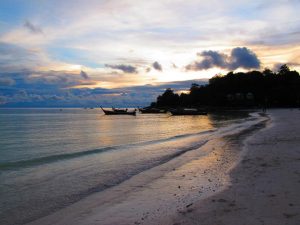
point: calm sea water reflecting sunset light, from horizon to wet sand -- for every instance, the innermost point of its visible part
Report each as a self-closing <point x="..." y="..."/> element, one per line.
<point x="50" y="158"/>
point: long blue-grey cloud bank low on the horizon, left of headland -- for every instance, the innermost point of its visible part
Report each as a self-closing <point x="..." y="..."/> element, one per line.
<point x="52" y="90"/>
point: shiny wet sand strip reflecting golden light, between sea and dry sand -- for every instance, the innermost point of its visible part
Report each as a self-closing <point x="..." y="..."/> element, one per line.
<point x="164" y="191"/>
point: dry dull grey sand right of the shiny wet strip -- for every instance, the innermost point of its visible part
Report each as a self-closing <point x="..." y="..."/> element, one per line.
<point x="264" y="187"/>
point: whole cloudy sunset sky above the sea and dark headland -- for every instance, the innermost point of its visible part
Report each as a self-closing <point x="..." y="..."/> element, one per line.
<point x="126" y="52"/>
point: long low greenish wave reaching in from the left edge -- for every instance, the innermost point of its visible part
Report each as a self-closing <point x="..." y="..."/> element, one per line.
<point x="54" y="158"/>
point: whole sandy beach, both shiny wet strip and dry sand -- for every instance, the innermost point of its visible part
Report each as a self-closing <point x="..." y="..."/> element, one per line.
<point x="247" y="175"/>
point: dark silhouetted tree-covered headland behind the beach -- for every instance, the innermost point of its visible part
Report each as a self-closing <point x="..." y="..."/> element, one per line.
<point x="239" y="90"/>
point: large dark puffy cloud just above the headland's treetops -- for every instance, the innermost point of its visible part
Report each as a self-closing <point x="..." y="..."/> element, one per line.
<point x="238" y="58"/>
